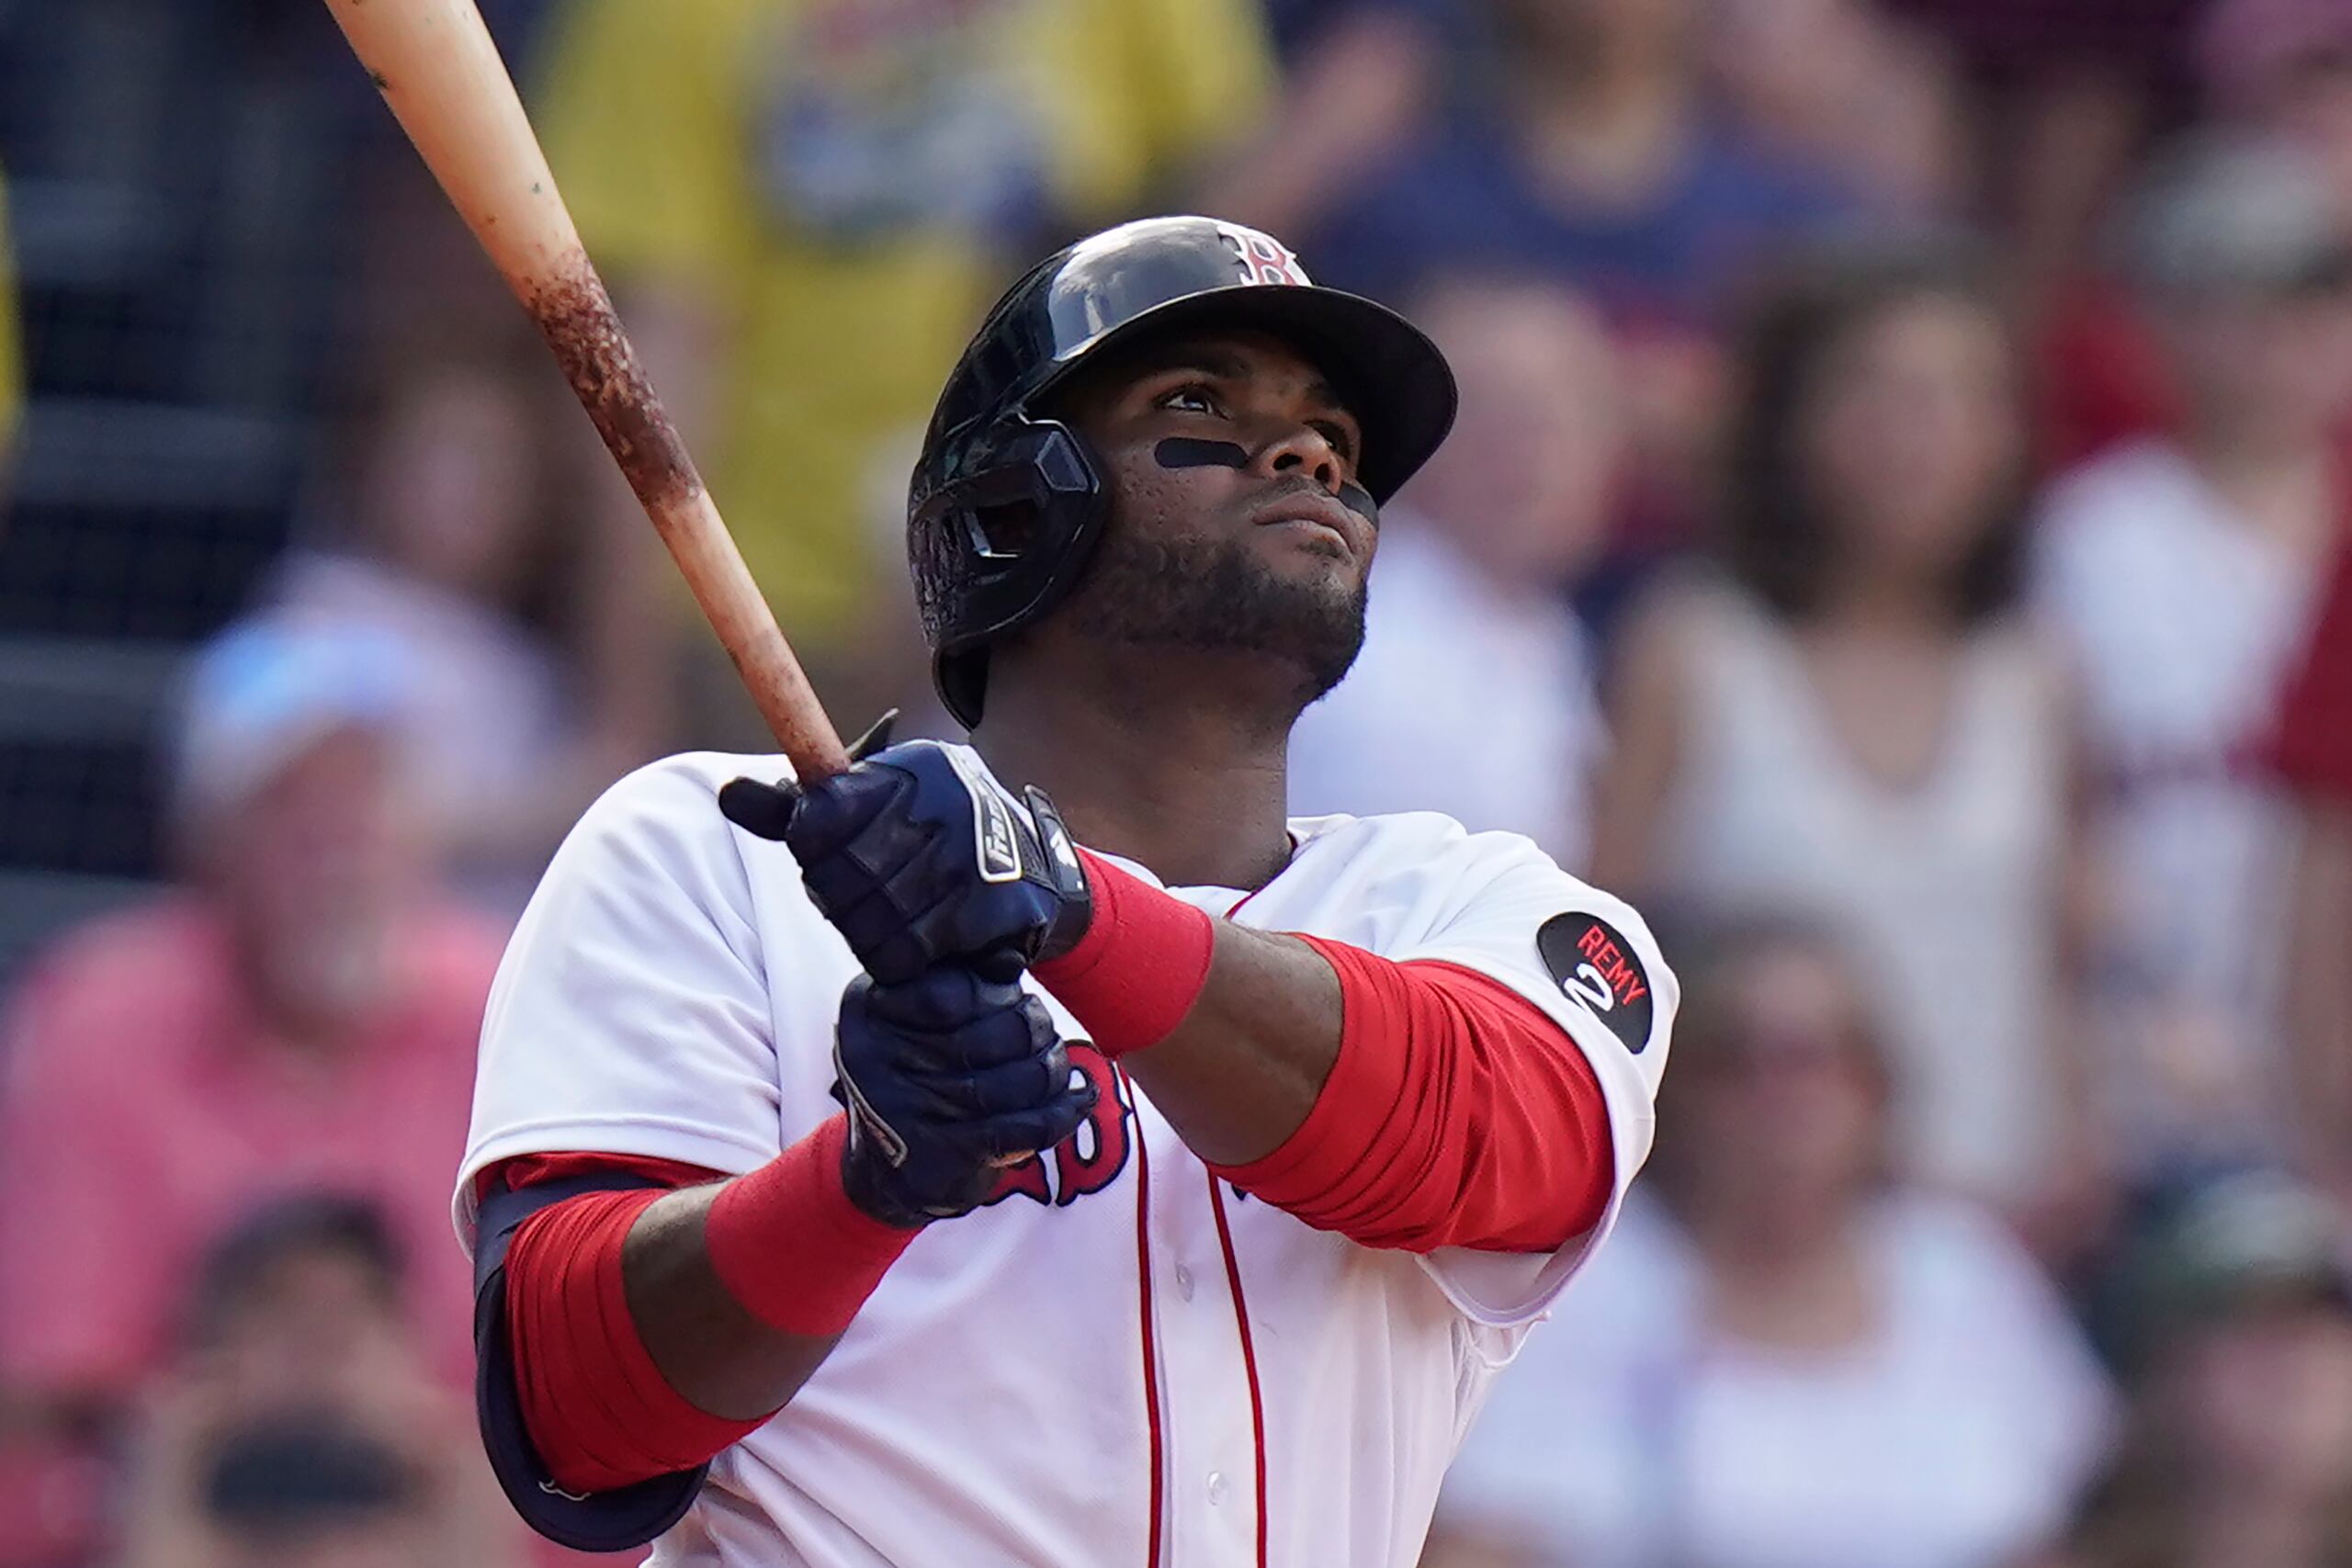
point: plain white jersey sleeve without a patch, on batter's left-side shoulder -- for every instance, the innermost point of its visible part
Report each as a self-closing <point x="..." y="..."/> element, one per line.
<point x="634" y="1012"/>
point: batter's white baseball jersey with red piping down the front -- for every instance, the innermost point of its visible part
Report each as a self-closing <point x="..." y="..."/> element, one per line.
<point x="1121" y="1360"/>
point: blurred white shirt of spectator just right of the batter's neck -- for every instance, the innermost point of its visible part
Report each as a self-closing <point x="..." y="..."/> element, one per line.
<point x="1466" y="702"/>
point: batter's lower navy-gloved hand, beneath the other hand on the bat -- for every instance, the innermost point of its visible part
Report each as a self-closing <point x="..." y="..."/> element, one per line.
<point x="947" y="1080"/>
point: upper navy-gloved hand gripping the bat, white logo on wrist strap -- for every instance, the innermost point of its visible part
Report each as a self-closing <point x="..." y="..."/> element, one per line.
<point x="918" y="857"/>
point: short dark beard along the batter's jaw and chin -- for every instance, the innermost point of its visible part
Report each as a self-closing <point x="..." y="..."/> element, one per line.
<point x="1212" y="596"/>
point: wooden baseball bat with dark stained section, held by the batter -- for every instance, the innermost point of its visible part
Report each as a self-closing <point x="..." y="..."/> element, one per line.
<point x="441" y="74"/>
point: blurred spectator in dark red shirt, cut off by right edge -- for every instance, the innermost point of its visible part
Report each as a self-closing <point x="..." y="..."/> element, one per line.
<point x="2316" y="758"/>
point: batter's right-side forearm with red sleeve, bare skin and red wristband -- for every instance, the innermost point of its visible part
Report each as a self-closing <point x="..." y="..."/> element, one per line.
<point x="1405" y="1106"/>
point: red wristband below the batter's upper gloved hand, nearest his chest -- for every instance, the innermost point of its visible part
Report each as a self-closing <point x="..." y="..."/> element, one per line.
<point x="1137" y="967"/>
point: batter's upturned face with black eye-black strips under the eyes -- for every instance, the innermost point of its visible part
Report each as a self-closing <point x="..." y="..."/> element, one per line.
<point x="1236" y="516"/>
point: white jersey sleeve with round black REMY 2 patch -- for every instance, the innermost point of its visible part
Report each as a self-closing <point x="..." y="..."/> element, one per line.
<point x="1591" y="965"/>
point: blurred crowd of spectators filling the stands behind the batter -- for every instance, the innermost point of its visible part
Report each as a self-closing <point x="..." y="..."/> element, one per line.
<point x="1899" y="535"/>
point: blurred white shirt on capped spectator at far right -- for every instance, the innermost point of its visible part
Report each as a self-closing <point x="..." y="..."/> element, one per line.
<point x="2184" y="622"/>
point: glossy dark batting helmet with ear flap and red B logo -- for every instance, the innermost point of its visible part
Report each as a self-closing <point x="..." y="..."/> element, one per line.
<point x="1008" y="504"/>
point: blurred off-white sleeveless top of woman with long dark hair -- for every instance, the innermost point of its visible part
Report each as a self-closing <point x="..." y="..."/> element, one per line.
<point x="1946" y="892"/>
